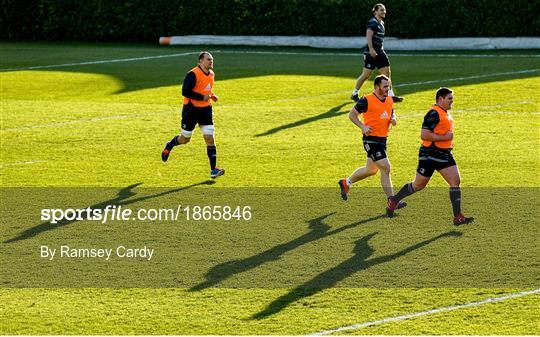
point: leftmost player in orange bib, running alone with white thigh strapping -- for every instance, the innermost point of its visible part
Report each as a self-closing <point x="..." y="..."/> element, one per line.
<point x="197" y="109"/>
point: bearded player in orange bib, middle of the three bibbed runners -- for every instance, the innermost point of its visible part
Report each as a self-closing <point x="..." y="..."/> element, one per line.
<point x="377" y="109"/>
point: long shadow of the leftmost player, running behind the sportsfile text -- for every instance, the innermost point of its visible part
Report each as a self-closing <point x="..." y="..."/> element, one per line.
<point x="119" y="200"/>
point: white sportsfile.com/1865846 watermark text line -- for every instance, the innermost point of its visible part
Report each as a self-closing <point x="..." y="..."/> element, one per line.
<point x="120" y="213"/>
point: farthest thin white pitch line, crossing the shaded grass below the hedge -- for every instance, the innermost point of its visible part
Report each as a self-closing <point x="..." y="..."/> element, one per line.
<point x="143" y="58"/>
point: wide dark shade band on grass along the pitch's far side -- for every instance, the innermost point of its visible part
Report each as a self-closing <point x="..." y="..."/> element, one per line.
<point x="149" y="73"/>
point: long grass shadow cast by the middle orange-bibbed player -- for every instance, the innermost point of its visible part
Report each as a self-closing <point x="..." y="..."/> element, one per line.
<point x="318" y="230"/>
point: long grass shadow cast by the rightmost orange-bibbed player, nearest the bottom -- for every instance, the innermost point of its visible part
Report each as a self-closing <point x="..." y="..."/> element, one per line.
<point x="359" y="261"/>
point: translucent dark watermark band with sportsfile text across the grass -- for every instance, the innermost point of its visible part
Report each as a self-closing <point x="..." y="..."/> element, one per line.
<point x="298" y="238"/>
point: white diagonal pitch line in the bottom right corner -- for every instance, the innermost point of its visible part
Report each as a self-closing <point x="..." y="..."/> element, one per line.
<point x="428" y="312"/>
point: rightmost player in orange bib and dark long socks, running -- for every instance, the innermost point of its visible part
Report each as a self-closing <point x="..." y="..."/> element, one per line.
<point x="436" y="154"/>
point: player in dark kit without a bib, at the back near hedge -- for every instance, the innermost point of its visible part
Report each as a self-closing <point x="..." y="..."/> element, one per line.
<point x="374" y="54"/>
